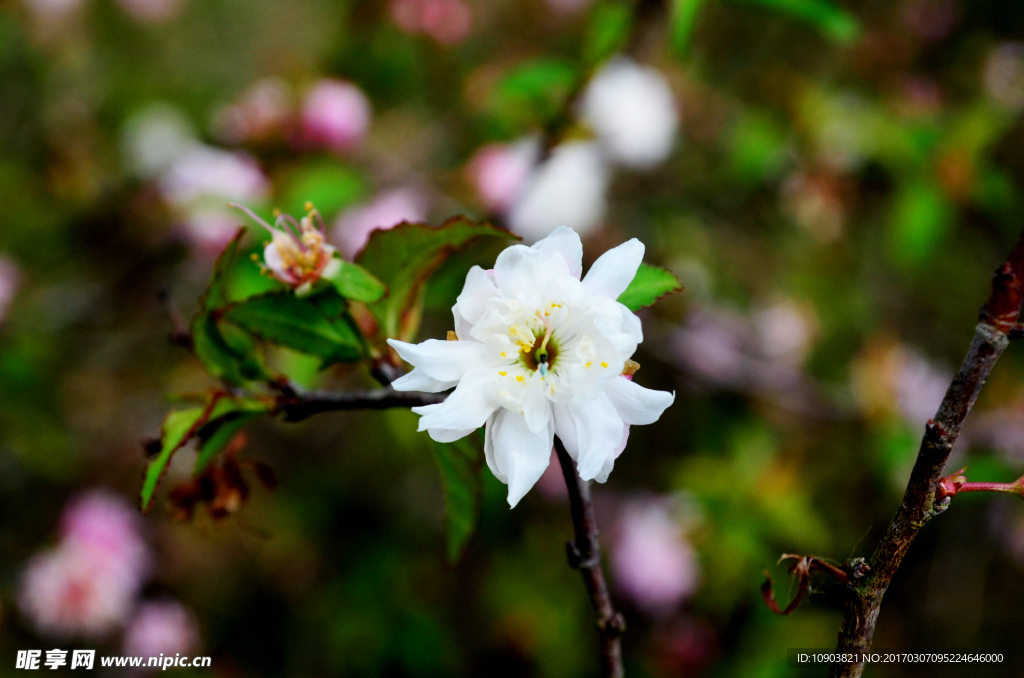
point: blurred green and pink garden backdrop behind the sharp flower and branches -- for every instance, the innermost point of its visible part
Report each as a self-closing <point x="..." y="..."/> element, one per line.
<point x="835" y="185"/>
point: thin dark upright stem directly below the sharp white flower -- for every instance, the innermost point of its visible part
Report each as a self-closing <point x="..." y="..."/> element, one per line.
<point x="585" y="556"/>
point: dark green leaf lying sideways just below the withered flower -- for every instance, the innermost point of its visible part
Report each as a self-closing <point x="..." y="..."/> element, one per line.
<point x="319" y="325"/>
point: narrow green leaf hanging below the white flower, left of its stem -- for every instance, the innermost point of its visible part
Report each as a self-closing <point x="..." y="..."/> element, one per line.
<point x="461" y="467"/>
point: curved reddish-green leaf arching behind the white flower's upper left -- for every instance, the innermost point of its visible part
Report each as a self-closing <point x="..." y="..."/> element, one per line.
<point x="405" y="258"/>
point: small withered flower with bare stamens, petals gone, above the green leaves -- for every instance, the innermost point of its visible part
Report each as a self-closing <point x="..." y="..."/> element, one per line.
<point x="297" y="255"/>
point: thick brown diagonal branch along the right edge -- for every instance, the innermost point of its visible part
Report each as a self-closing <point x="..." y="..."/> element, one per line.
<point x="923" y="498"/>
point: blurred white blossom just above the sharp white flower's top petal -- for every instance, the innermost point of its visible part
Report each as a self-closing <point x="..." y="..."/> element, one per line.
<point x="569" y="189"/>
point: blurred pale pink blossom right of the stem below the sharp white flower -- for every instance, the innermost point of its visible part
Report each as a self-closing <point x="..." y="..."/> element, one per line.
<point x="655" y="567"/>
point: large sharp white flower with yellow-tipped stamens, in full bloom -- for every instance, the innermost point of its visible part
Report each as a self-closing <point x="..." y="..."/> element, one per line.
<point x="540" y="354"/>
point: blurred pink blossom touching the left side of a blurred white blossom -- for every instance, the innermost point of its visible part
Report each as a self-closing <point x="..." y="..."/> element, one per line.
<point x="499" y="173"/>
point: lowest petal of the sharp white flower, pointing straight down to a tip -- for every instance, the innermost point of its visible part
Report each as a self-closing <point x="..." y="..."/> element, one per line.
<point x="522" y="455"/>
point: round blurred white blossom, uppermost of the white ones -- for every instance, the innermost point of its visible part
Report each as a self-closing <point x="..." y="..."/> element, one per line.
<point x="633" y="112"/>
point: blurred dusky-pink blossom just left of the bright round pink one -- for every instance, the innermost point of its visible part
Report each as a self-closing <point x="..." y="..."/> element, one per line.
<point x="263" y="111"/>
